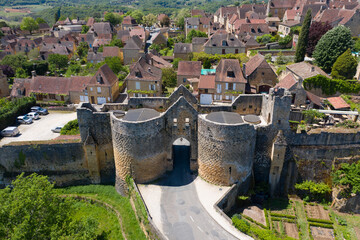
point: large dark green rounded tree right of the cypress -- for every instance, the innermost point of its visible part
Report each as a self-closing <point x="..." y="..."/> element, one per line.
<point x="331" y="45"/>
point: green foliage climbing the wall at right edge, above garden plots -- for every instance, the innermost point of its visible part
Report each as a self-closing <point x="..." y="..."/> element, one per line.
<point x="348" y="175"/>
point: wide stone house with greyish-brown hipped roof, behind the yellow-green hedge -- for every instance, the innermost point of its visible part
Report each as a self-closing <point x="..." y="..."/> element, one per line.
<point x="224" y="43"/>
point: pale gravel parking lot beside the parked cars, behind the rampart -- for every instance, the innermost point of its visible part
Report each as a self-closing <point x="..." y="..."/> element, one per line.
<point x="41" y="129"/>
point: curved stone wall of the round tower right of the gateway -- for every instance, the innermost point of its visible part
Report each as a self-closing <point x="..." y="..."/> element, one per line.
<point x="226" y="151"/>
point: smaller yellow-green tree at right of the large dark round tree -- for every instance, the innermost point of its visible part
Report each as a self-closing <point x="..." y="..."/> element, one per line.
<point x="345" y="66"/>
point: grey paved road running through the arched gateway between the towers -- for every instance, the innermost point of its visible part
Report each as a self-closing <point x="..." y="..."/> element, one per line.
<point x="182" y="215"/>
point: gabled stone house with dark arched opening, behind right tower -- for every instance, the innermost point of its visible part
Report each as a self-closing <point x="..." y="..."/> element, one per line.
<point x="259" y="75"/>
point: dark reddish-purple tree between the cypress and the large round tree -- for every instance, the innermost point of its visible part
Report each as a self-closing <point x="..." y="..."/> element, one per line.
<point x="316" y="31"/>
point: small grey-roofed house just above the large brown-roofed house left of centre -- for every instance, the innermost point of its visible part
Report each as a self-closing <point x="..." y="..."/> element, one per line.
<point x="133" y="50"/>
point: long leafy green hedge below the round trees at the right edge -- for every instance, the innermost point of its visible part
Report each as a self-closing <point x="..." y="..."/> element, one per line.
<point x="331" y="86"/>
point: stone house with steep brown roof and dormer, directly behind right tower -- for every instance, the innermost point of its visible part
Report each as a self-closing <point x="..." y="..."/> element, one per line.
<point x="229" y="80"/>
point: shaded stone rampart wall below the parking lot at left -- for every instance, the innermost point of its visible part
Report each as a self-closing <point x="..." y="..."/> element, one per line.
<point x="63" y="163"/>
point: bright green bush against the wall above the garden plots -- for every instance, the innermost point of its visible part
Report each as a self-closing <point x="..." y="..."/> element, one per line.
<point x="314" y="191"/>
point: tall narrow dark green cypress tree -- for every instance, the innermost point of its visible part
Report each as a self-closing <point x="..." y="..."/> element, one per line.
<point x="303" y="38"/>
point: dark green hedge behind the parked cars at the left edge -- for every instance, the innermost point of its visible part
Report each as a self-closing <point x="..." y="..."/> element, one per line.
<point x="10" y="110"/>
